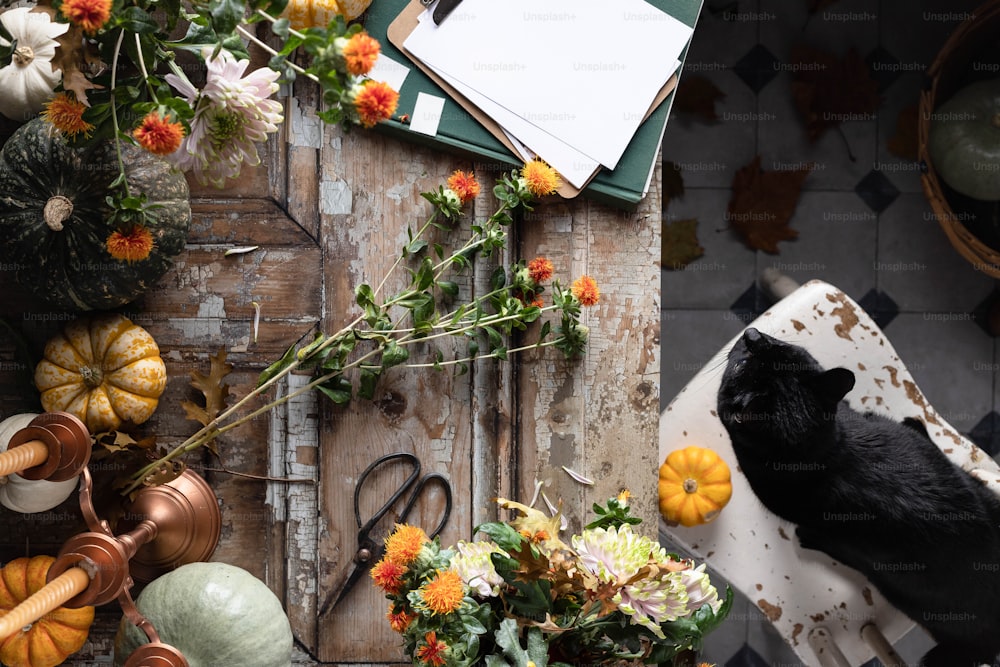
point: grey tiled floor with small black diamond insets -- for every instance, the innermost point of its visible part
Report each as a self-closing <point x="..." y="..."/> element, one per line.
<point x="864" y="224"/>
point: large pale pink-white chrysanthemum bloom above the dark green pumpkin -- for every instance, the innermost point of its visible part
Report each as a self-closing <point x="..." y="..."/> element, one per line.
<point x="231" y="114"/>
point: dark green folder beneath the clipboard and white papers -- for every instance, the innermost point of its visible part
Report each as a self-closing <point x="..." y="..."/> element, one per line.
<point x="459" y="132"/>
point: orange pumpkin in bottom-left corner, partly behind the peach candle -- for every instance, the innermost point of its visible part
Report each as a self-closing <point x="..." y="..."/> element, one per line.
<point x="49" y="640"/>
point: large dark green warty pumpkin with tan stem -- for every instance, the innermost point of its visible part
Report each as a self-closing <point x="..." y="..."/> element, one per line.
<point x="55" y="221"/>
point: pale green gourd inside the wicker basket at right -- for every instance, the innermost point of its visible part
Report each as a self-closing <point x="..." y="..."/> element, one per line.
<point x="964" y="140"/>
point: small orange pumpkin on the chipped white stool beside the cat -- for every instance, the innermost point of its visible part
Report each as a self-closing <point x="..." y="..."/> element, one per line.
<point x="694" y="486"/>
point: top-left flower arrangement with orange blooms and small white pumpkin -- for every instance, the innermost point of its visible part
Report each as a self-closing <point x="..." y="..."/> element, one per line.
<point x="100" y="70"/>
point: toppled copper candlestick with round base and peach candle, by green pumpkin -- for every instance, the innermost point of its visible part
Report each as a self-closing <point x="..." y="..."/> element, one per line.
<point x="167" y="526"/>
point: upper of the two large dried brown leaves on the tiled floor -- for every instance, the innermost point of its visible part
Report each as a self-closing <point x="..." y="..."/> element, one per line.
<point x="828" y="90"/>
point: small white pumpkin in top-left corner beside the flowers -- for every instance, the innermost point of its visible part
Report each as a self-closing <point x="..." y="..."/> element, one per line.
<point x="28" y="82"/>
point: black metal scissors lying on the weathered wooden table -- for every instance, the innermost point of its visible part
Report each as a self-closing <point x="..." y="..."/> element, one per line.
<point x="371" y="550"/>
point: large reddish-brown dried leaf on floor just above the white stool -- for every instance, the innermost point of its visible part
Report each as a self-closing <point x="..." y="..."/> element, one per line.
<point x="762" y="204"/>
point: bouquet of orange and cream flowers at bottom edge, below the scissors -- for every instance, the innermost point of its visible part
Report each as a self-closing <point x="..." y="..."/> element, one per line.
<point x="524" y="597"/>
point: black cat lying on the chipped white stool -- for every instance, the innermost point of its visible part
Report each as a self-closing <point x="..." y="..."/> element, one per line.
<point x="875" y="494"/>
